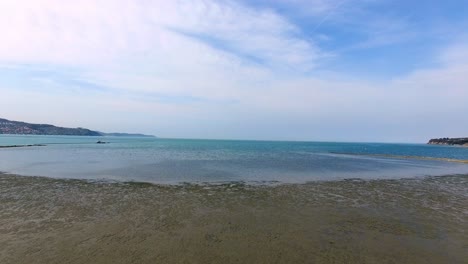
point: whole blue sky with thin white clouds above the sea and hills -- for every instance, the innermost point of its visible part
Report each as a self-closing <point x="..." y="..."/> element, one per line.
<point x="318" y="70"/>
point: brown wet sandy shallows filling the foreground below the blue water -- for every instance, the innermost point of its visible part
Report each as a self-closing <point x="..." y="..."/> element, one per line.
<point x="44" y="220"/>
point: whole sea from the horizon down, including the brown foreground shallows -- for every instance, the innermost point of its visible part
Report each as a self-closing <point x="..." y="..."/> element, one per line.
<point x="153" y="200"/>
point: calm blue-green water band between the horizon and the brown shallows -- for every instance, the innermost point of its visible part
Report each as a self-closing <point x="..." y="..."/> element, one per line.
<point x="200" y="161"/>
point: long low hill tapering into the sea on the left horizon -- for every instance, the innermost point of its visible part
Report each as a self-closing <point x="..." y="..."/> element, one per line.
<point x="23" y="128"/>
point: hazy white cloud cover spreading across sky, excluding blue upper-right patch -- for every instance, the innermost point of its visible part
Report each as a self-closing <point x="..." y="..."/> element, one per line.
<point x="201" y="50"/>
